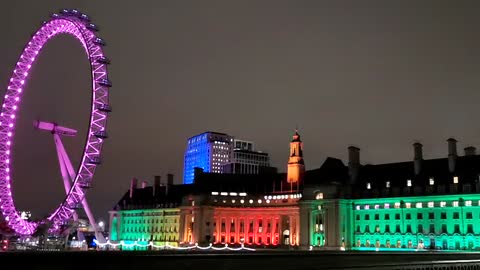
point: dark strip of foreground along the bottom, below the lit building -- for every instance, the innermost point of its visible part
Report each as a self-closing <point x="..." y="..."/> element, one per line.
<point x="264" y="260"/>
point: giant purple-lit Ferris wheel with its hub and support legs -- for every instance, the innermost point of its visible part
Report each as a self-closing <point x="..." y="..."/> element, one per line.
<point x="74" y="23"/>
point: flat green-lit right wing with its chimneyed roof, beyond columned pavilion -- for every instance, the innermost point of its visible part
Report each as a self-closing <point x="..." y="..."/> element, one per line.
<point x="431" y="204"/>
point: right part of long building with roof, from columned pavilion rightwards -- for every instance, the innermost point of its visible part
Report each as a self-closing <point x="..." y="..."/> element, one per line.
<point x="417" y="205"/>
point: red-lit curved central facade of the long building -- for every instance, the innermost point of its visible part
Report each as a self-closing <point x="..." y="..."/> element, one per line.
<point x="275" y="224"/>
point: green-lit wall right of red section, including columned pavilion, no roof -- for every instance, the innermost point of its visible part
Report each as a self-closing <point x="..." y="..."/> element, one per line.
<point x="447" y="222"/>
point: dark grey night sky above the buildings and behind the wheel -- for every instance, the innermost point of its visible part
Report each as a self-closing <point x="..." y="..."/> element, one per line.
<point x="376" y="74"/>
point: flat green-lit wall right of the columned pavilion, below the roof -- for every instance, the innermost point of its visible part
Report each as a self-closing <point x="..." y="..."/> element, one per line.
<point x="447" y="222"/>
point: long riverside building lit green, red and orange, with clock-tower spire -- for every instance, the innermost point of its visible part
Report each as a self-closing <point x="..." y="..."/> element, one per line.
<point x="415" y="205"/>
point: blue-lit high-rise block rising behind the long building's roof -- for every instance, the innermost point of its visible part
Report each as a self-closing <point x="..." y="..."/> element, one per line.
<point x="208" y="151"/>
